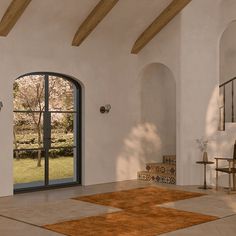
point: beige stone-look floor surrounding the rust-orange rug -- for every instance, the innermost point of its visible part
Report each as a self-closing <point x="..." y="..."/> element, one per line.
<point x="22" y="214"/>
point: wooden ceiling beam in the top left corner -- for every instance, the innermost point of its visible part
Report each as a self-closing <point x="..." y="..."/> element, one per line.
<point x="12" y="14"/>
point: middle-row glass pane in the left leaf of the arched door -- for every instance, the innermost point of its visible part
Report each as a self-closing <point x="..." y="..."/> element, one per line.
<point x="28" y="130"/>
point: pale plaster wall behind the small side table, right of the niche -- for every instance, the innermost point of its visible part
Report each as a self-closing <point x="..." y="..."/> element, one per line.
<point x="201" y="33"/>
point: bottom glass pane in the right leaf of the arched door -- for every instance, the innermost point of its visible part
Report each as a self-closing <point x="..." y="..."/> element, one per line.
<point x="62" y="163"/>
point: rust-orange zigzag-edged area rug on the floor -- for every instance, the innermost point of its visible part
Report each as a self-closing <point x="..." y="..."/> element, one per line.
<point x="140" y="215"/>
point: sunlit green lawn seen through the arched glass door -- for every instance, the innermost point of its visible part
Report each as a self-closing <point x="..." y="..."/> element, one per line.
<point x="26" y="170"/>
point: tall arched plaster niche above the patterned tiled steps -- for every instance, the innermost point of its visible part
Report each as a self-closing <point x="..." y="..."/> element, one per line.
<point x="158" y="112"/>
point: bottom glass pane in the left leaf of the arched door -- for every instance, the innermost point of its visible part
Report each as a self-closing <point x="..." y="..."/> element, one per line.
<point x="28" y="168"/>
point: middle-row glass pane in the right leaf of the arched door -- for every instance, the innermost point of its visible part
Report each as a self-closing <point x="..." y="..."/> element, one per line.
<point x="62" y="129"/>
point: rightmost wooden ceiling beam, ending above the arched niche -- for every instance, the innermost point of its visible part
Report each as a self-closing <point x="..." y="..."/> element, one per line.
<point x="158" y="24"/>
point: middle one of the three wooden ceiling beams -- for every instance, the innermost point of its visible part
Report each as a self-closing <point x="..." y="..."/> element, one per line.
<point x="93" y="19"/>
